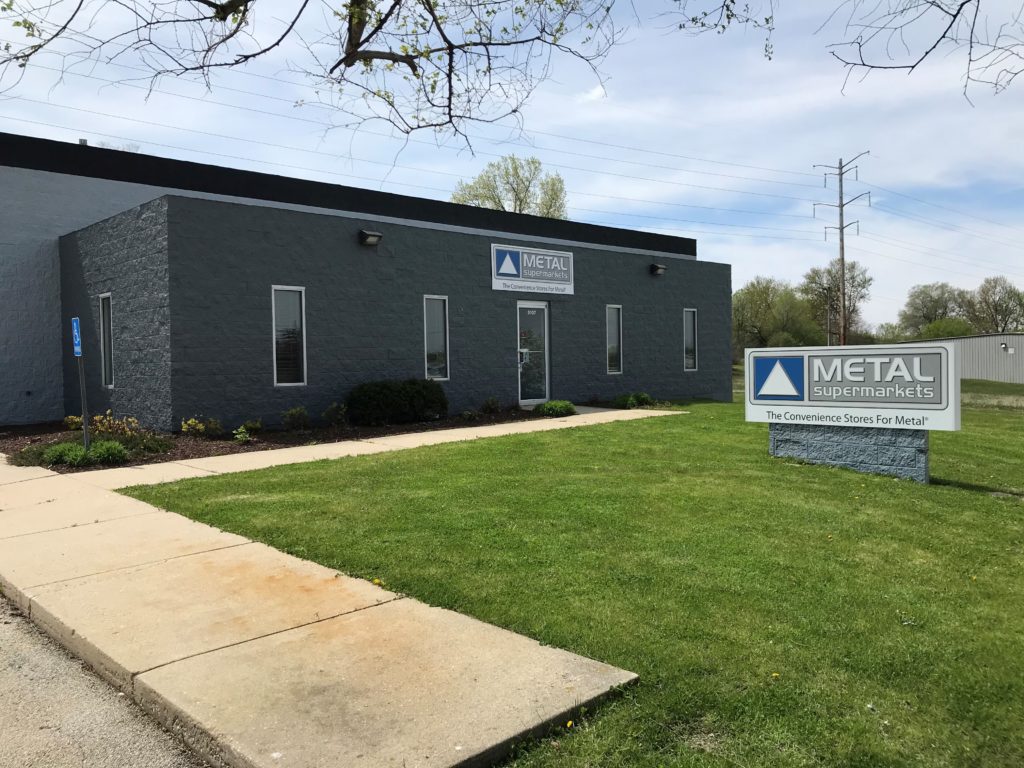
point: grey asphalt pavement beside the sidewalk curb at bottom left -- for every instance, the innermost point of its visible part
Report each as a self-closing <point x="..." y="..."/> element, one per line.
<point x="55" y="713"/>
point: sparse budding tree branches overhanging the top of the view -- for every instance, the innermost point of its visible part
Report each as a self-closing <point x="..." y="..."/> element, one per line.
<point x="441" y="64"/>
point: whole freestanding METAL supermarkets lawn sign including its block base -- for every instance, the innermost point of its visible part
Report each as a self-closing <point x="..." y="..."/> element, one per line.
<point x="867" y="408"/>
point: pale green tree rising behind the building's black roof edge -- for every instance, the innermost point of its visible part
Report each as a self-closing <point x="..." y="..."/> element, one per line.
<point x="516" y="185"/>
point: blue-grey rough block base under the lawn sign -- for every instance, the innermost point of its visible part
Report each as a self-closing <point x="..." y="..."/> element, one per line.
<point x="902" y="453"/>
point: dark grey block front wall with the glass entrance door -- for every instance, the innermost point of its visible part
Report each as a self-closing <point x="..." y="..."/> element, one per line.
<point x="365" y="314"/>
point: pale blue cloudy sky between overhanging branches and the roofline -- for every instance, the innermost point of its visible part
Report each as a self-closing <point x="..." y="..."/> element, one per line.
<point x="689" y="136"/>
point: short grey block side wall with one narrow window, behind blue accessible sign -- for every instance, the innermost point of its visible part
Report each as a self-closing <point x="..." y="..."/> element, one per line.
<point x="126" y="257"/>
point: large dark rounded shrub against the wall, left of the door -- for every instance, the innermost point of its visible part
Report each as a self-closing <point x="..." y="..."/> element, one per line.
<point x="379" y="403"/>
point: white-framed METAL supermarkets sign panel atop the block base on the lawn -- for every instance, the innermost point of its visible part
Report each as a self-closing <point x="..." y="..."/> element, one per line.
<point x="901" y="388"/>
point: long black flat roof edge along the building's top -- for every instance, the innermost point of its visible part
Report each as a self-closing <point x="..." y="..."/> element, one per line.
<point x="94" y="162"/>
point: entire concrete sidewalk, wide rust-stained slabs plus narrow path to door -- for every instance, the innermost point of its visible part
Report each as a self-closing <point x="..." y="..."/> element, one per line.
<point x="260" y="659"/>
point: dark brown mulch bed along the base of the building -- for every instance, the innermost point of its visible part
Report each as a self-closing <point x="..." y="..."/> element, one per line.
<point x="185" y="447"/>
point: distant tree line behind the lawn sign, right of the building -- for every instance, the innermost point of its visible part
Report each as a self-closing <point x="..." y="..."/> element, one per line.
<point x="770" y="313"/>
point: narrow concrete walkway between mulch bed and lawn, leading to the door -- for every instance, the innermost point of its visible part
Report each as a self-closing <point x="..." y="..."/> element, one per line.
<point x="153" y="475"/>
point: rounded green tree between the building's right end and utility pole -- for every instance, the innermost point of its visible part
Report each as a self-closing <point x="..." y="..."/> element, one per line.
<point x="767" y="313"/>
